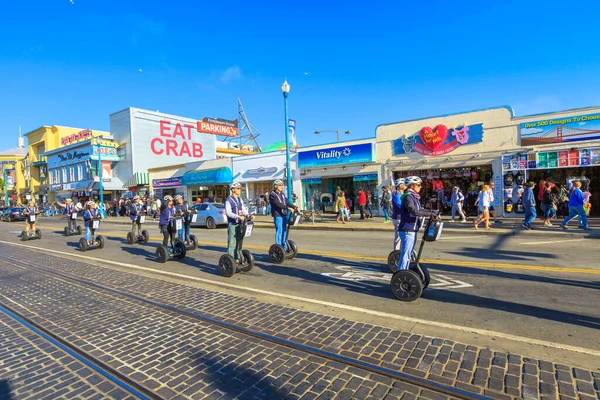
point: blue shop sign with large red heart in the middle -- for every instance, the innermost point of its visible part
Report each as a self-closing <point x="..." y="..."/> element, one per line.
<point x="438" y="140"/>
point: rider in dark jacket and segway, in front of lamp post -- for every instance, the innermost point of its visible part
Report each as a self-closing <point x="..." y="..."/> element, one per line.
<point x="283" y="248"/>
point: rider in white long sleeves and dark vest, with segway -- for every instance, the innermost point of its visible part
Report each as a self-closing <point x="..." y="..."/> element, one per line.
<point x="239" y="226"/>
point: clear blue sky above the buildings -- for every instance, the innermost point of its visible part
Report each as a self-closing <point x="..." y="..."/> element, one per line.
<point x="74" y="63"/>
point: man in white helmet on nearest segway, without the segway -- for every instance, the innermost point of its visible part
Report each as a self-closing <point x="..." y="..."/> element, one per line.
<point x="410" y="219"/>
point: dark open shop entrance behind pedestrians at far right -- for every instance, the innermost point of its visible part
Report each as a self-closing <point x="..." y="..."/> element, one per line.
<point x="559" y="178"/>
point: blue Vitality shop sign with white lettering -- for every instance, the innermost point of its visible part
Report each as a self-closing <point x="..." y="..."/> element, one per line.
<point x="342" y="155"/>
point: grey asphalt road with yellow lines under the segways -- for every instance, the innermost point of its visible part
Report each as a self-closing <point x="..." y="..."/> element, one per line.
<point x="534" y="295"/>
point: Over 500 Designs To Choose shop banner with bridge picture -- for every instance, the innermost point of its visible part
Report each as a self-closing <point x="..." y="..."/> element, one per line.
<point x="559" y="130"/>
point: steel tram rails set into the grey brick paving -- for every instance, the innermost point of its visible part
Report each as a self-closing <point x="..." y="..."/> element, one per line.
<point x="368" y="367"/>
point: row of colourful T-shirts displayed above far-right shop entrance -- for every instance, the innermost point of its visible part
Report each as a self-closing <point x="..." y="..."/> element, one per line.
<point x="551" y="159"/>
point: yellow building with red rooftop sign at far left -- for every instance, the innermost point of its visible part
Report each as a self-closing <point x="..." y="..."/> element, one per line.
<point x="35" y="168"/>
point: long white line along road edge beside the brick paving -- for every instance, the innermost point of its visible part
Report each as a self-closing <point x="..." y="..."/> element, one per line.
<point x="467" y="329"/>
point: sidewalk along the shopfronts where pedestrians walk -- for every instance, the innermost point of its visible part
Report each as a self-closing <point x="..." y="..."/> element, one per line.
<point x="509" y="226"/>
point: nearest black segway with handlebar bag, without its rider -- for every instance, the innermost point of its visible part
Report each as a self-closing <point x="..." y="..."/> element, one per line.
<point x="408" y="284"/>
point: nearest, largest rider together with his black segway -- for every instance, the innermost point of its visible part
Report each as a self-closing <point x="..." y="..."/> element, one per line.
<point x="411" y="278"/>
